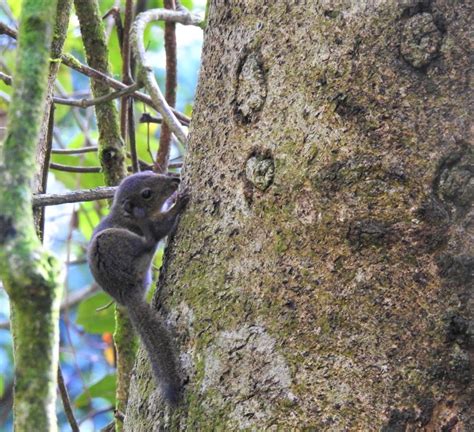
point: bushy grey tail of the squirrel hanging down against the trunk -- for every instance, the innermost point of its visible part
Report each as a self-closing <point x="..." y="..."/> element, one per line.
<point x="157" y="342"/>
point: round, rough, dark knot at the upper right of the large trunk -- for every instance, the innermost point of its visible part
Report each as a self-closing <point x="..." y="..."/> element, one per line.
<point x="421" y="40"/>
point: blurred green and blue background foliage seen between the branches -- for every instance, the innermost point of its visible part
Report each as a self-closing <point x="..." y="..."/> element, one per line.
<point x="86" y="346"/>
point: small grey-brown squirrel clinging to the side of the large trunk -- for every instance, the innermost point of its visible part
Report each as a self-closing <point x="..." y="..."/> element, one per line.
<point x="120" y="255"/>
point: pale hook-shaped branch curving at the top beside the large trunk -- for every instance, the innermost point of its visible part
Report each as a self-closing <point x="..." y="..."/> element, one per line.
<point x="147" y="73"/>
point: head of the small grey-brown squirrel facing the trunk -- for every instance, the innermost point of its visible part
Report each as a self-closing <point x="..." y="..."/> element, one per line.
<point x="144" y="193"/>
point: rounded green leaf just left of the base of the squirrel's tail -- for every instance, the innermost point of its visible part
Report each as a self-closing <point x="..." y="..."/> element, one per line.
<point x="93" y="321"/>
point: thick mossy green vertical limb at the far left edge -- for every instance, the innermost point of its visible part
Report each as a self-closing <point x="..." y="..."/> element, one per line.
<point x="29" y="274"/>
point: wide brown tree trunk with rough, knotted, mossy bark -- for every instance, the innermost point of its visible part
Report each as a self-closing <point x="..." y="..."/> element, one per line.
<point x="320" y="279"/>
